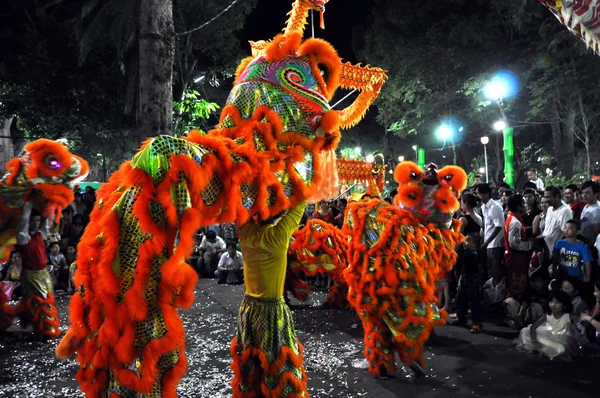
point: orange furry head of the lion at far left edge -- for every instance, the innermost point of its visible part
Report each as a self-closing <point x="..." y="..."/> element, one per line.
<point x="48" y="167"/>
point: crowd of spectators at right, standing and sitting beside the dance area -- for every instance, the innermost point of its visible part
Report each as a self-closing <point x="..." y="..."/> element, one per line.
<point x="526" y="252"/>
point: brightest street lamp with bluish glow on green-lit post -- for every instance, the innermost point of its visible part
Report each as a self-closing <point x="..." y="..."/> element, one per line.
<point x="504" y="85"/>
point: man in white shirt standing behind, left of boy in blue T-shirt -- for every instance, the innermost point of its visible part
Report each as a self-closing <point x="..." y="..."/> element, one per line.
<point x="557" y="216"/>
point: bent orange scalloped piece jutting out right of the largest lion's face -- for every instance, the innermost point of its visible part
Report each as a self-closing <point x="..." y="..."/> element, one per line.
<point x="365" y="79"/>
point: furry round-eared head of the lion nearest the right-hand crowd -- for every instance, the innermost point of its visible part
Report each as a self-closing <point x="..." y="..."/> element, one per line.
<point x="430" y="194"/>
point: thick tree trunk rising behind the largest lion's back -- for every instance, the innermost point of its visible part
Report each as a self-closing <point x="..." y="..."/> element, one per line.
<point x="157" y="38"/>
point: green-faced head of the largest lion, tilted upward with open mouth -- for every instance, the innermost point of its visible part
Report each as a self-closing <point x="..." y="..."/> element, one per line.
<point x="297" y="79"/>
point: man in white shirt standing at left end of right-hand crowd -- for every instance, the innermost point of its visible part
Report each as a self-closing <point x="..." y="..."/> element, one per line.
<point x="493" y="223"/>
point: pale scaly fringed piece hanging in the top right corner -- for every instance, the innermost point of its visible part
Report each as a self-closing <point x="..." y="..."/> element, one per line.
<point x="582" y="17"/>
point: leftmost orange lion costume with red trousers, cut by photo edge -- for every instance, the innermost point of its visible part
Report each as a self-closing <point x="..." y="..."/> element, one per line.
<point x="42" y="179"/>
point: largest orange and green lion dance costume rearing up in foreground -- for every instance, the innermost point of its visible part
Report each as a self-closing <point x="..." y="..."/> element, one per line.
<point x="271" y="151"/>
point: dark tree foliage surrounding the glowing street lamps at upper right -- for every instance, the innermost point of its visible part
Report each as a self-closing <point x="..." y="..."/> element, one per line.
<point x="441" y="54"/>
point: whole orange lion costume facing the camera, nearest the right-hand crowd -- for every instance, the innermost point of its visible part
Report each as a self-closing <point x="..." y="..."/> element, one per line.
<point x="396" y="254"/>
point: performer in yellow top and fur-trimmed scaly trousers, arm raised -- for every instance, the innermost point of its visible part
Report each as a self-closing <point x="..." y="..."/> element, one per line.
<point x="267" y="356"/>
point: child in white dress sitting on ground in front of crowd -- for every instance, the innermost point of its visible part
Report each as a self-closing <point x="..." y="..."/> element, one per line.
<point x="552" y="335"/>
